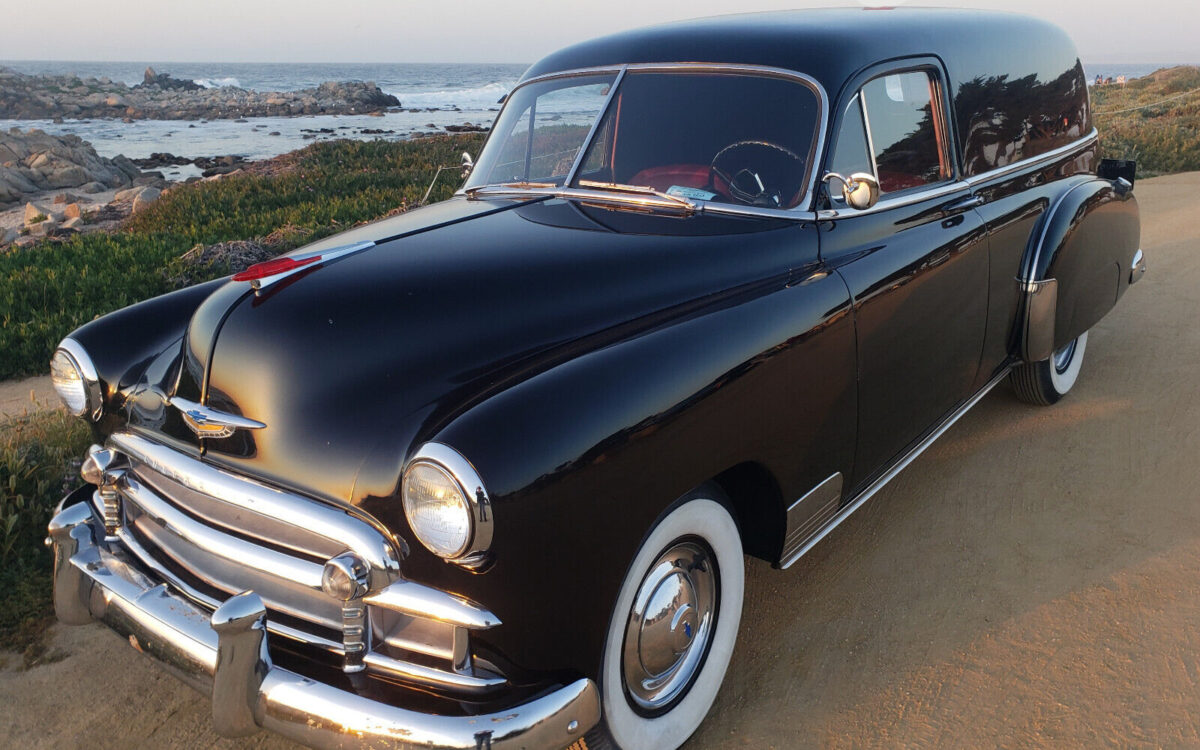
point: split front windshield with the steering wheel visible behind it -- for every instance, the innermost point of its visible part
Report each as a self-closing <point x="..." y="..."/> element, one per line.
<point x="704" y="136"/>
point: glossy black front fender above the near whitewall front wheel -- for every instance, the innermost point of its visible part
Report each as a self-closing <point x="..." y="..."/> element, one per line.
<point x="583" y="459"/>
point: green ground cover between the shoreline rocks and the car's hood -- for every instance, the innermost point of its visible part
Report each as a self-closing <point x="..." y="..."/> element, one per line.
<point x="52" y="289"/>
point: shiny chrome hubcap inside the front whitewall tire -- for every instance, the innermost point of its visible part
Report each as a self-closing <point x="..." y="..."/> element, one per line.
<point x="670" y="626"/>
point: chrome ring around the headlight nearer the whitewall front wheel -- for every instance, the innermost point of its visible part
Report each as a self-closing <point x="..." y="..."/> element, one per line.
<point x="476" y="501"/>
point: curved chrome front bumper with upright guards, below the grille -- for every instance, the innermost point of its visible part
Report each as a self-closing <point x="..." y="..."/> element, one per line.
<point x="226" y="656"/>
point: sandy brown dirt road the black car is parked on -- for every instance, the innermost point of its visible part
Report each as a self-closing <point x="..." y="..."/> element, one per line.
<point x="1030" y="581"/>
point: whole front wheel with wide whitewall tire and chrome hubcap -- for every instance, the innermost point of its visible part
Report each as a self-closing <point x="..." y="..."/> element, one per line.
<point x="673" y="631"/>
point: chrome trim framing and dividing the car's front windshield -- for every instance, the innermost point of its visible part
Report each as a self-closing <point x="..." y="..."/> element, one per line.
<point x="801" y="212"/>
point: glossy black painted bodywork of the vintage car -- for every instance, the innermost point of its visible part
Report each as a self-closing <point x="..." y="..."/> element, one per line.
<point x="597" y="364"/>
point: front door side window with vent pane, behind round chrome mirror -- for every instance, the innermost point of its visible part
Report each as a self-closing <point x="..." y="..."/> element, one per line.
<point x="895" y="129"/>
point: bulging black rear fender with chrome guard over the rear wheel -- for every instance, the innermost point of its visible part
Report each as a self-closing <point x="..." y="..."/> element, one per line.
<point x="1076" y="267"/>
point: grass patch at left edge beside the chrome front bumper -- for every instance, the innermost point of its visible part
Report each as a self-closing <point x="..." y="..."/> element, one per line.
<point x="37" y="470"/>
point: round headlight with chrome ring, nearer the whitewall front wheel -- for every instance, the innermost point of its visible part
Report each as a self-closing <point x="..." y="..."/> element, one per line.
<point x="447" y="506"/>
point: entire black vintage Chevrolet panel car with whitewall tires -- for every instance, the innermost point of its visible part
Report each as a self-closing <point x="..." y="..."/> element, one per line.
<point x="484" y="475"/>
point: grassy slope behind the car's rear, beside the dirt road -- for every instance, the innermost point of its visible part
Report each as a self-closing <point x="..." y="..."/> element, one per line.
<point x="1163" y="137"/>
